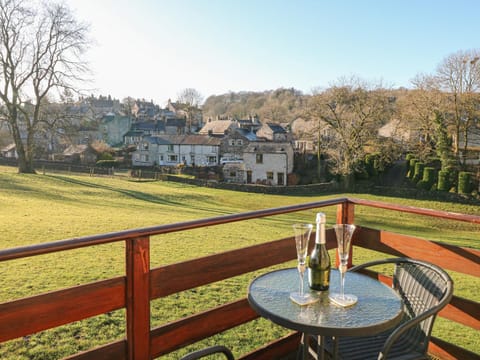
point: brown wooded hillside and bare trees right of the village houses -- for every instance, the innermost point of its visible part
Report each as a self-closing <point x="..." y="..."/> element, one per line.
<point x="438" y="118"/>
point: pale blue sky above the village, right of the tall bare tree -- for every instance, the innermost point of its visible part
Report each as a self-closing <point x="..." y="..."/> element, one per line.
<point x="153" y="49"/>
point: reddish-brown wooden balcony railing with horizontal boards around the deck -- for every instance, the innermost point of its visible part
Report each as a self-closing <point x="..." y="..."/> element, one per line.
<point x="141" y="284"/>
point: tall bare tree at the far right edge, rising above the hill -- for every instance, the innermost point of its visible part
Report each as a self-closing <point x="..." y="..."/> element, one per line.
<point x="459" y="76"/>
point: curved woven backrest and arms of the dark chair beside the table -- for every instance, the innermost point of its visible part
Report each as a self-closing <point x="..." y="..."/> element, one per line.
<point x="425" y="289"/>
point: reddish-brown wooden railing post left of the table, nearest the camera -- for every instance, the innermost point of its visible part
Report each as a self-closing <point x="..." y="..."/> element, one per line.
<point x="138" y="298"/>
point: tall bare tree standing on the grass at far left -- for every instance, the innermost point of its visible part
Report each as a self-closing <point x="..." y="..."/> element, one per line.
<point x="40" y="53"/>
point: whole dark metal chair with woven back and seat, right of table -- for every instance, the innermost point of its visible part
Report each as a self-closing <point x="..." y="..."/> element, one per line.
<point x="425" y="289"/>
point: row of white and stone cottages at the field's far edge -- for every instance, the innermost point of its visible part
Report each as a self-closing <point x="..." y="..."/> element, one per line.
<point x="264" y="156"/>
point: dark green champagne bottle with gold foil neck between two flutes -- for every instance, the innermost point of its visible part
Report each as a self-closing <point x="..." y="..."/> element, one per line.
<point x="319" y="262"/>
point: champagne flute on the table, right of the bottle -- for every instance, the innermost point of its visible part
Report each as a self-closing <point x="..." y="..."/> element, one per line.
<point x="344" y="234"/>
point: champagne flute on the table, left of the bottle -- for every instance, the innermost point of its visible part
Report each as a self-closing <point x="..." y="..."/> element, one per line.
<point x="302" y="236"/>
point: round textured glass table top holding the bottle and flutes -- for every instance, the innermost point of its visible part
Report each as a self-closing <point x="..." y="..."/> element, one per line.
<point x="378" y="308"/>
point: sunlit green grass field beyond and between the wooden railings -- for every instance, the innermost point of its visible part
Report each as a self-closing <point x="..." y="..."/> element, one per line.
<point x="43" y="208"/>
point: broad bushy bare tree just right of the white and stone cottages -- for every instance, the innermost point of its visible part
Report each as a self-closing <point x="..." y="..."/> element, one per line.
<point x="353" y="111"/>
